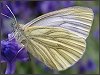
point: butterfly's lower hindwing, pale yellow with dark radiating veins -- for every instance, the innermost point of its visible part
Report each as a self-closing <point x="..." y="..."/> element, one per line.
<point x="54" y="46"/>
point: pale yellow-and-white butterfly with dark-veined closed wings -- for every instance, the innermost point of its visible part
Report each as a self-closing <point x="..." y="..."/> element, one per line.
<point x="58" y="38"/>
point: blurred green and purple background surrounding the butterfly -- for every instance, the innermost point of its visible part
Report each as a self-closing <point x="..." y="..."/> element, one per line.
<point x="25" y="11"/>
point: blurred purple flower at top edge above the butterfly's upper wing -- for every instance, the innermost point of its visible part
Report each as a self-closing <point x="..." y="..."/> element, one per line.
<point x="48" y="6"/>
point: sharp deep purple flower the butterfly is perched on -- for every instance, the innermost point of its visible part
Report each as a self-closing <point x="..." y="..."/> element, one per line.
<point x="11" y="52"/>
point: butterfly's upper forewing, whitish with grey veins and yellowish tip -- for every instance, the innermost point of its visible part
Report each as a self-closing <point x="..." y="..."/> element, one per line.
<point x="76" y="19"/>
